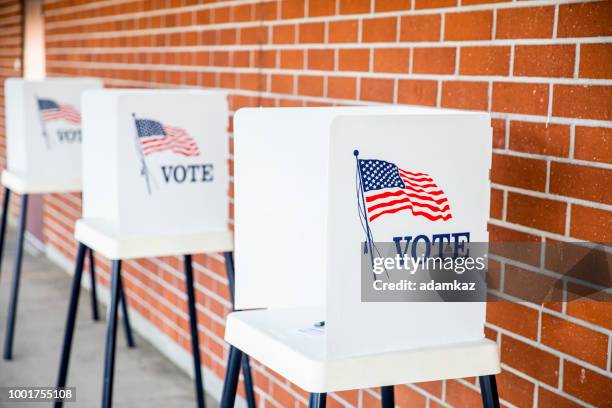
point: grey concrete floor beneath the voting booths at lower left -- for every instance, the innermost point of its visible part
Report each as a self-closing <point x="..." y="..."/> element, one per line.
<point x="143" y="376"/>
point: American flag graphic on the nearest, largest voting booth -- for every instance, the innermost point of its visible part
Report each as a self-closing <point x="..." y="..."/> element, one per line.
<point x="387" y="189"/>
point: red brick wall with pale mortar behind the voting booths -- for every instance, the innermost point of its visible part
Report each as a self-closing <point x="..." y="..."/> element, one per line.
<point x="543" y="70"/>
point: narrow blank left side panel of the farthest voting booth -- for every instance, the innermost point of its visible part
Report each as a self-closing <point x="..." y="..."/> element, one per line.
<point x="15" y="126"/>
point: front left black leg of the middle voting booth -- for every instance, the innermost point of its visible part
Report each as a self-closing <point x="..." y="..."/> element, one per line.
<point x="71" y="320"/>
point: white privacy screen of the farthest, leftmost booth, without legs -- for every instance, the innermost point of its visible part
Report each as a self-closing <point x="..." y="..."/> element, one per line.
<point x="43" y="128"/>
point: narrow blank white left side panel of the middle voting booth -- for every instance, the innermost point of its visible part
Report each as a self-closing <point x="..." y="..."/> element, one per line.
<point x="100" y="153"/>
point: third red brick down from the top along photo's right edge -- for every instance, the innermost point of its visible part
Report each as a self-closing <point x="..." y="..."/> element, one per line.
<point x="583" y="101"/>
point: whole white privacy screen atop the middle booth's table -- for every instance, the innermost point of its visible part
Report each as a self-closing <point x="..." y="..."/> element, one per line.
<point x="155" y="161"/>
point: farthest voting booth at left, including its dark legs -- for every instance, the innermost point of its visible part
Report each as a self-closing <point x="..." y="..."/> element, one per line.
<point x="43" y="147"/>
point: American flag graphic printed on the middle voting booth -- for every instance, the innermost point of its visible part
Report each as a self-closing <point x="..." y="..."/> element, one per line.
<point x="155" y="137"/>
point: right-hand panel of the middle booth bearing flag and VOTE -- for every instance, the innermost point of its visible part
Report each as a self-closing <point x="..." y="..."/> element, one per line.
<point x="173" y="163"/>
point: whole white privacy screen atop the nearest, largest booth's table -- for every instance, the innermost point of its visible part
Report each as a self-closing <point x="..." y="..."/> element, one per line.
<point x="300" y="225"/>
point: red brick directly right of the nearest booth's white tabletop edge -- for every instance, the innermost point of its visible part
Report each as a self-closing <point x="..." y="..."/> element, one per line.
<point x="532" y="361"/>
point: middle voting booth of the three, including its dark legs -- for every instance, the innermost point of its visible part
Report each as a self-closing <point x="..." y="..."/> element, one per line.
<point x="155" y="183"/>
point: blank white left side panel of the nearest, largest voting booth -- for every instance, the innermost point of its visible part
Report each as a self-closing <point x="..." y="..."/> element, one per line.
<point x="280" y="206"/>
